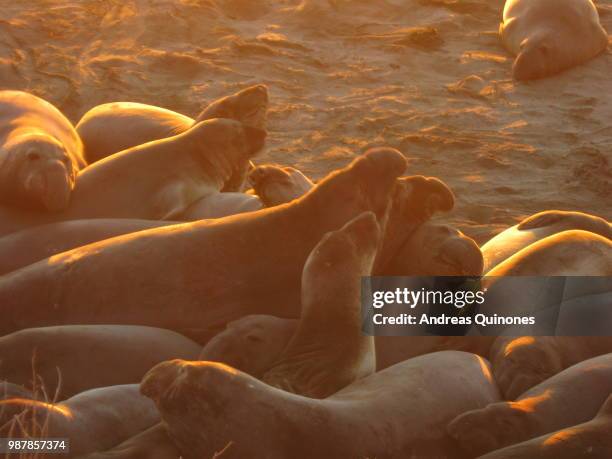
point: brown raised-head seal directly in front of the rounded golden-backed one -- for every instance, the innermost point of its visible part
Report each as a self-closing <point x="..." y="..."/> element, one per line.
<point x="158" y="180"/>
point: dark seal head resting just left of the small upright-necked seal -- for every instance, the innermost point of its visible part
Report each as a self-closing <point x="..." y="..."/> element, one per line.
<point x="251" y="344"/>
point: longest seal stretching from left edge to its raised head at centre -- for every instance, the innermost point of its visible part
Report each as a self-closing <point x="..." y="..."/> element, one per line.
<point x="203" y="286"/>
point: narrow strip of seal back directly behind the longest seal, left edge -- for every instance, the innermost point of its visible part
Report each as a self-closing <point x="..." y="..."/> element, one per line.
<point x="34" y="244"/>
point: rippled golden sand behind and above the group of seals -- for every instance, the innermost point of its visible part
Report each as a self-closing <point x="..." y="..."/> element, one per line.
<point x="426" y="76"/>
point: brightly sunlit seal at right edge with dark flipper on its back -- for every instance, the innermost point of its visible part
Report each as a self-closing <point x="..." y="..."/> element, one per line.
<point x="537" y="227"/>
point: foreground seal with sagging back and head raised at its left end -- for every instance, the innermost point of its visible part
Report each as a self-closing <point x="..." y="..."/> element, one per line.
<point x="399" y="412"/>
